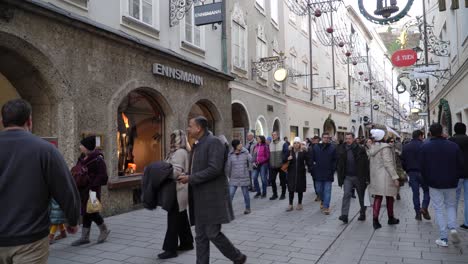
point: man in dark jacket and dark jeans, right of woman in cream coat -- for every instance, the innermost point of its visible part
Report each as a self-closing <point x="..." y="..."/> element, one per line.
<point x="410" y="163"/>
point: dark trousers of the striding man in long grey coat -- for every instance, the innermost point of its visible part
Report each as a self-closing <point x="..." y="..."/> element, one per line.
<point x="207" y="233"/>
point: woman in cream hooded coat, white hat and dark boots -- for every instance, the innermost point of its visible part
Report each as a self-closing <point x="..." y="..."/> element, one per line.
<point x="383" y="177"/>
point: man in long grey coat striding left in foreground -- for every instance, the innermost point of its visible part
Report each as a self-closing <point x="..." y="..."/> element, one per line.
<point x="210" y="203"/>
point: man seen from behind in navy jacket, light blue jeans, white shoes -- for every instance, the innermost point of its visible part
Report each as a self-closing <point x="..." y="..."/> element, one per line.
<point x="441" y="167"/>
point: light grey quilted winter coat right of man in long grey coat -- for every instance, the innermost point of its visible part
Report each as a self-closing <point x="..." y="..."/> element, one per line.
<point x="237" y="168"/>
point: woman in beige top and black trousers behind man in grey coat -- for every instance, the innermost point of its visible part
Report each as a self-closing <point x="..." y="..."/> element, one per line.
<point x="178" y="226"/>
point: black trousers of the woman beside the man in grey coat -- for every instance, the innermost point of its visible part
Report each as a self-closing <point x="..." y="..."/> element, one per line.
<point x="178" y="228"/>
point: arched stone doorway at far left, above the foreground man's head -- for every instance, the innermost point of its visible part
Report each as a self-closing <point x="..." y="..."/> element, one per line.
<point x="20" y="79"/>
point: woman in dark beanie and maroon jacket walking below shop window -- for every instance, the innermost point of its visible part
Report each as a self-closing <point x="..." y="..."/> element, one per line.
<point x="90" y="173"/>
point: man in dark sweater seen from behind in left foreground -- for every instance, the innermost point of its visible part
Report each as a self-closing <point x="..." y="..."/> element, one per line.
<point x="32" y="171"/>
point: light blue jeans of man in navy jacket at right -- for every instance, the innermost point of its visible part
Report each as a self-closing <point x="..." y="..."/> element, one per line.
<point x="444" y="200"/>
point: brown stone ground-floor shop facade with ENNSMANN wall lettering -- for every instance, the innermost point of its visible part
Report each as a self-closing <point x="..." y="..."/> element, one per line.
<point x="83" y="77"/>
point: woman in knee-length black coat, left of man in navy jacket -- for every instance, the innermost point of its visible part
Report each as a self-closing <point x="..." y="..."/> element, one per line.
<point x="296" y="173"/>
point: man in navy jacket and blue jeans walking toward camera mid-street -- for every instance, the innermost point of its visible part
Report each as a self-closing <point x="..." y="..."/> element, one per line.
<point x="323" y="170"/>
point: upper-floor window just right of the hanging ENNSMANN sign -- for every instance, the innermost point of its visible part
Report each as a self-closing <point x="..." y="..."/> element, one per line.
<point x="239" y="40"/>
